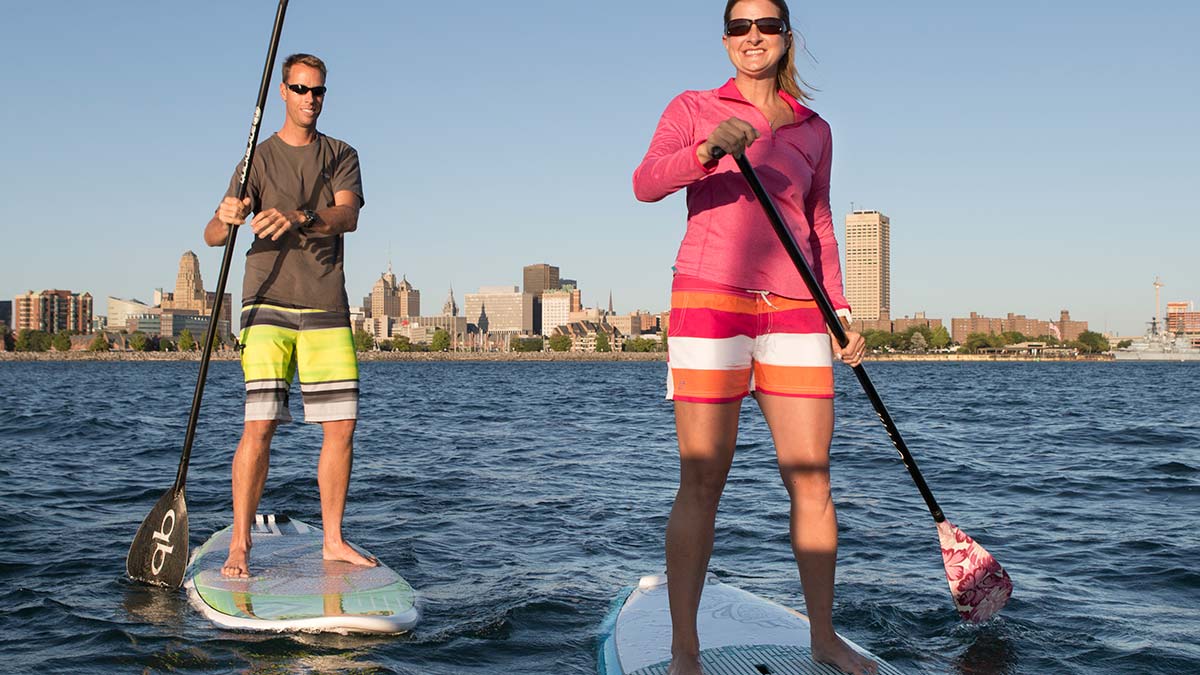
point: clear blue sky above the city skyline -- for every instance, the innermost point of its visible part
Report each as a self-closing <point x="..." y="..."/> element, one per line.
<point x="1033" y="157"/>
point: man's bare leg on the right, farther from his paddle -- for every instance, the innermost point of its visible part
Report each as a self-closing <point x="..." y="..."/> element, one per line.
<point x="334" y="480"/>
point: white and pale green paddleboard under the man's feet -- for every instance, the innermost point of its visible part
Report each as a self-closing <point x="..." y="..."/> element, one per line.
<point x="293" y="589"/>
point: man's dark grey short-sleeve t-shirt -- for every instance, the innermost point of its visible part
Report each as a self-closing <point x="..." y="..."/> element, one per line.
<point x="299" y="271"/>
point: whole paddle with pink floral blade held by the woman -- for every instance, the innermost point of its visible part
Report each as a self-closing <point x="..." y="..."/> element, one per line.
<point x="979" y="584"/>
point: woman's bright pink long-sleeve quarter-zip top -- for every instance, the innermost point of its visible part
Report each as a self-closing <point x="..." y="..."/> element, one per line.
<point x="729" y="238"/>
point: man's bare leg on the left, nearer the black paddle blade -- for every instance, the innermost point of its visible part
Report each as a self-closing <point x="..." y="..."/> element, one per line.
<point x="250" y="467"/>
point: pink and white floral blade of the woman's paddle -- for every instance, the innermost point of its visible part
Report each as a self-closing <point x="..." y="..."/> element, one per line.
<point x="980" y="586"/>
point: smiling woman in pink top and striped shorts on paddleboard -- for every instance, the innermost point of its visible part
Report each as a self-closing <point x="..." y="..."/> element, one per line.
<point x="742" y="320"/>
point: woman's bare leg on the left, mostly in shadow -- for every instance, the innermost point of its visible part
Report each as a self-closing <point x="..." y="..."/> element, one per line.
<point x="707" y="435"/>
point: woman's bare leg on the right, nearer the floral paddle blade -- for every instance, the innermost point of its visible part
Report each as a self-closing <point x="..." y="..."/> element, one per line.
<point x="803" y="431"/>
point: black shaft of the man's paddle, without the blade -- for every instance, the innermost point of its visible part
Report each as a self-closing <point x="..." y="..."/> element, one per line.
<point x="256" y="124"/>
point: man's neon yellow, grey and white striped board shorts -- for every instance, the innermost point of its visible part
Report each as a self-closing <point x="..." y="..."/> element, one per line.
<point x="280" y="343"/>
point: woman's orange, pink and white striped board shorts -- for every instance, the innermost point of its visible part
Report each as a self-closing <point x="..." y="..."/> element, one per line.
<point x="724" y="343"/>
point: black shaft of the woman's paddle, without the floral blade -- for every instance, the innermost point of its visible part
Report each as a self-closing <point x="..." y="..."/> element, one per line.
<point x="831" y="318"/>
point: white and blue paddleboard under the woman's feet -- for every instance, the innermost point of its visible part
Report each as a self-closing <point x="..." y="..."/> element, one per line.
<point x="740" y="635"/>
